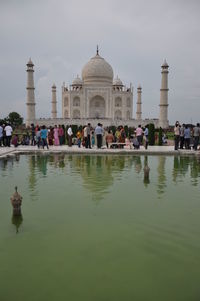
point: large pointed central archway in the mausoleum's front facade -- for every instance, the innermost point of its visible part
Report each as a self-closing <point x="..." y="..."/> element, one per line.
<point x="97" y="108"/>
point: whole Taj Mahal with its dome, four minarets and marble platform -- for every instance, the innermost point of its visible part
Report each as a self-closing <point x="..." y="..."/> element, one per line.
<point x="97" y="96"/>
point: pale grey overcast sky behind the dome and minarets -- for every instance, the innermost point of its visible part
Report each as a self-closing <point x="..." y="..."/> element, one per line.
<point x="134" y="36"/>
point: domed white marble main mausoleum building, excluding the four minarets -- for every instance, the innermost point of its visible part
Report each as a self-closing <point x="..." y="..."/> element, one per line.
<point x="96" y="94"/>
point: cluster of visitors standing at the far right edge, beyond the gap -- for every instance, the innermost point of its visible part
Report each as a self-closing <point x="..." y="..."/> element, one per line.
<point x="186" y="137"/>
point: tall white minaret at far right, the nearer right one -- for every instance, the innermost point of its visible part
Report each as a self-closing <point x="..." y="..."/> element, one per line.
<point x="163" y="118"/>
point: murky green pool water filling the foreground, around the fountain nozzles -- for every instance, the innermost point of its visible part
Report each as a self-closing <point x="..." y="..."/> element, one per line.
<point x="93" y="229"/>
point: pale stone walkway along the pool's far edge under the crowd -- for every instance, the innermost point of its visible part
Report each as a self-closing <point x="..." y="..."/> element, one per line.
<point x="152" y="150"/>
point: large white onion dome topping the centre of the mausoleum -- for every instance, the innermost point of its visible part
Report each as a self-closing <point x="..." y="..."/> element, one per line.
<point x="97" y="70"/>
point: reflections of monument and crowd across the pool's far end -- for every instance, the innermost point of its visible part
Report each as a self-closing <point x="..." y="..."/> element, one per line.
<point x="99" y="172"/>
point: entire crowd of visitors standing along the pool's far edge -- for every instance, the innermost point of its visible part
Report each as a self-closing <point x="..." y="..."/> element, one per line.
<point x="89" y="137"/>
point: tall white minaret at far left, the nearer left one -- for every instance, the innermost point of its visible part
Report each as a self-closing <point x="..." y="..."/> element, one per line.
<point x="30" y="94"/>
